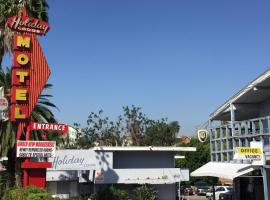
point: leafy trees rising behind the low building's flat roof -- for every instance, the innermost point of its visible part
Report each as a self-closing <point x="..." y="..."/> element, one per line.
<point x="133" y="127"/>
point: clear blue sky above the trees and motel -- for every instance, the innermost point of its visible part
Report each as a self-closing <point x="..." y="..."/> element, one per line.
<point x="178" y="59"/>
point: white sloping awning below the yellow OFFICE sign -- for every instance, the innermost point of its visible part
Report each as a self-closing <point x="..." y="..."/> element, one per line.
<point x="223" y="170"/>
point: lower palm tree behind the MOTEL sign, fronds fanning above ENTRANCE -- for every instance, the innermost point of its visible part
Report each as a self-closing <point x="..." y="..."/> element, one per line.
<point x="8" y="129"/>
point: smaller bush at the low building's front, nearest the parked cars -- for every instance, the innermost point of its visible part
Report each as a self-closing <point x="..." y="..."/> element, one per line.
<point x="146" y="192"/>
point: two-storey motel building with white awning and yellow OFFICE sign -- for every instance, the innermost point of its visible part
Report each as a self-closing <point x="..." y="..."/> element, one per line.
<point x="239" y="141"/>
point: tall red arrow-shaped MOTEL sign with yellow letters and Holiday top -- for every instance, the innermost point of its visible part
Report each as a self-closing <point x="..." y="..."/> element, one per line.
<point x="30" y="70"/>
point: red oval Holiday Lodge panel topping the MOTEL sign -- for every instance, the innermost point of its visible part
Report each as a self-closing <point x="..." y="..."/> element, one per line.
<point x="28" y="24"/>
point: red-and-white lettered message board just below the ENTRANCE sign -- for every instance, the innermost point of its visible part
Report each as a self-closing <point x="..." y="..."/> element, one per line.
<point x="34" y="149"/>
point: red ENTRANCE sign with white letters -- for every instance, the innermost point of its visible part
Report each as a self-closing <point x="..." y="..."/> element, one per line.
<point x="61" y="128"/>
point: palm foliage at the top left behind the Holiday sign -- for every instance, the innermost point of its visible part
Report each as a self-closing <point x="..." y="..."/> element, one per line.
<point x="8" y="8"/>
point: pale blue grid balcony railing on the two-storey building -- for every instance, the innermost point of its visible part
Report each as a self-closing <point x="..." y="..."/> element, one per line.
<point x="224" y="138"/>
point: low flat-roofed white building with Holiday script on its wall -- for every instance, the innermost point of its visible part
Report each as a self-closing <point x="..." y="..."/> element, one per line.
<point x="83" y="172"/>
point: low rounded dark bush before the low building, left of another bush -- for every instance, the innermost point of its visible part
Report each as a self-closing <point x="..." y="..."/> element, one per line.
<point x="110" y="193"/>
